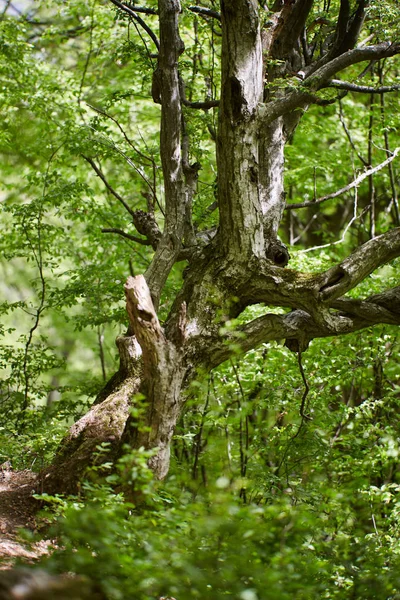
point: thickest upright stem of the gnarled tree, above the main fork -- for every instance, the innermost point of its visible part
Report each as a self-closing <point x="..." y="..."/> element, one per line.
<point x="241" y="222"/>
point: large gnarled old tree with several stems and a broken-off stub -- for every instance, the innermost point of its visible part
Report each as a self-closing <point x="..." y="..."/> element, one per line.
<point x="276" y="61"/>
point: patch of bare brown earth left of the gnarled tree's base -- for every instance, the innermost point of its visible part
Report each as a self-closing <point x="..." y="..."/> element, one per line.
<point x="17" y="511"/>
